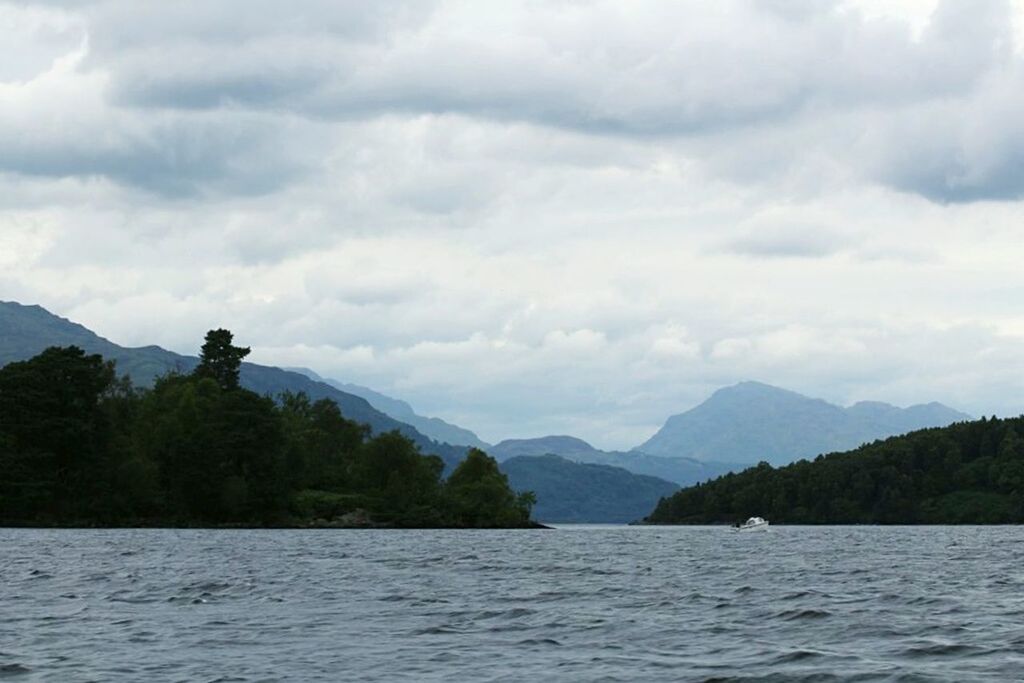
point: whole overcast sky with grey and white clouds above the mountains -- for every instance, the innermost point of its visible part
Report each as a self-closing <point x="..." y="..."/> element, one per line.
<point x="533" y="218"/>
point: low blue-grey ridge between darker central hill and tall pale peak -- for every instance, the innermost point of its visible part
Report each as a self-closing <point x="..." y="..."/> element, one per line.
<point x="684" y="472"/>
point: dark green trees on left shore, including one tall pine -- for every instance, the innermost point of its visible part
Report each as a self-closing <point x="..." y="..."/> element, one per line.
<point x="80" y="446"/>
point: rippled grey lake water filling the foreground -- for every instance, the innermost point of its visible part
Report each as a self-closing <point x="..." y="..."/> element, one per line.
<point x="841" y="604"/>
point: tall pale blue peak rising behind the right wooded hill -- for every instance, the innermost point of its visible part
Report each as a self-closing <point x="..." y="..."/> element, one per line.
<point x="751" y="422"/>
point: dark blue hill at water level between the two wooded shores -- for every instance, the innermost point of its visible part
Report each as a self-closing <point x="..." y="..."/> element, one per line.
<point x="569" y="492"/>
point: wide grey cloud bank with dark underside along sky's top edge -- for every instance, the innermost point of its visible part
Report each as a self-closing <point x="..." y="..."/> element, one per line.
<point x="669" y="70"/>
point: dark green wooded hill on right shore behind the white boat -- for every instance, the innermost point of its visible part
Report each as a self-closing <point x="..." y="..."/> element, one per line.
<point x="971" y="473"/>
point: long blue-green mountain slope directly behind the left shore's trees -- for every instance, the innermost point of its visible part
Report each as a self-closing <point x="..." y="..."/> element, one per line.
<point x="26" y="331"/>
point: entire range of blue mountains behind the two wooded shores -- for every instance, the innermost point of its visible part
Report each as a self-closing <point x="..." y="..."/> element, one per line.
<point x="736" y="428"/>
